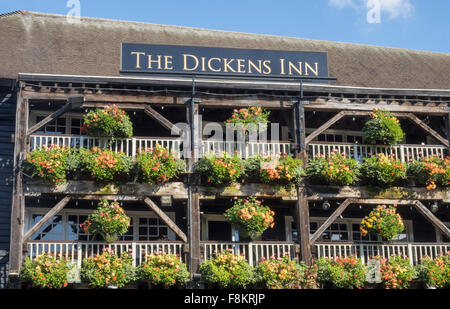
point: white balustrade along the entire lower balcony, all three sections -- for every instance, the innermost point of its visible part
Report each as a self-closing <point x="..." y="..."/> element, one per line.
<point x="253" y="251"/>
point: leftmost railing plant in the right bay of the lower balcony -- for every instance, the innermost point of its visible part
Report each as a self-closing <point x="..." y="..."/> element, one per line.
<point x="346" y="273"/>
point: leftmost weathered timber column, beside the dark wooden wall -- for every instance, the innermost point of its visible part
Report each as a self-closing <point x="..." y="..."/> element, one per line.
<point x="18" y="201"/>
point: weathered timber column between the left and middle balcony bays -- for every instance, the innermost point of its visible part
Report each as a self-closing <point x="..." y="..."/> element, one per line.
<point x="193" y="203"/>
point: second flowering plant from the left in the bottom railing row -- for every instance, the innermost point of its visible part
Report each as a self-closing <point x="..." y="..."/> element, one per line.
<point x="103" y="270"/>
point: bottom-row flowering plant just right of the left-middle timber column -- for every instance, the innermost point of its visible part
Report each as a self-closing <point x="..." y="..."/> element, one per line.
<point x="228" y="271"/>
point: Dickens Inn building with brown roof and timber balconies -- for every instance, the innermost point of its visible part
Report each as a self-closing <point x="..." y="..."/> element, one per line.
<point x="320" y="105"/>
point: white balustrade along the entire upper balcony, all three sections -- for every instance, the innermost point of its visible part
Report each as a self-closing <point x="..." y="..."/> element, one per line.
<point x="132" y="145"/>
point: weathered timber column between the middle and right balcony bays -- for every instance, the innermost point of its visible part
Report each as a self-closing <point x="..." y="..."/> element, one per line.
<point x="301" y="210"/>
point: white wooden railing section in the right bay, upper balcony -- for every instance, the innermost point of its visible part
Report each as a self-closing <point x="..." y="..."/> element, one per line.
<point x="356" y="151"/>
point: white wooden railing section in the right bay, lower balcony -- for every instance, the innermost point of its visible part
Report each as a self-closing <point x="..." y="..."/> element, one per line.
<point x="414" y="251"/>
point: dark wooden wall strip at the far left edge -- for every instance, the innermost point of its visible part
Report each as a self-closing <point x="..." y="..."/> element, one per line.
<point x="7" y="127"/>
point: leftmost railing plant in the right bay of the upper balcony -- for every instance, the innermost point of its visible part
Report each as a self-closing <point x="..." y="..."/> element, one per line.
<point x="335" y="169"/>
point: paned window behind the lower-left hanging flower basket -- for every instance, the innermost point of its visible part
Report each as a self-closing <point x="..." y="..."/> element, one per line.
<point x="66" y="227"/>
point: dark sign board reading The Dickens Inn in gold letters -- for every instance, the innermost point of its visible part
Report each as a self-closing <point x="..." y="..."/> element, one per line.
<point x="190" y="60"/>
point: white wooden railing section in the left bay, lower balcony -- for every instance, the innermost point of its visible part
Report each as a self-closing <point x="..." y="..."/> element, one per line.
<point x="77" y="251"/>
